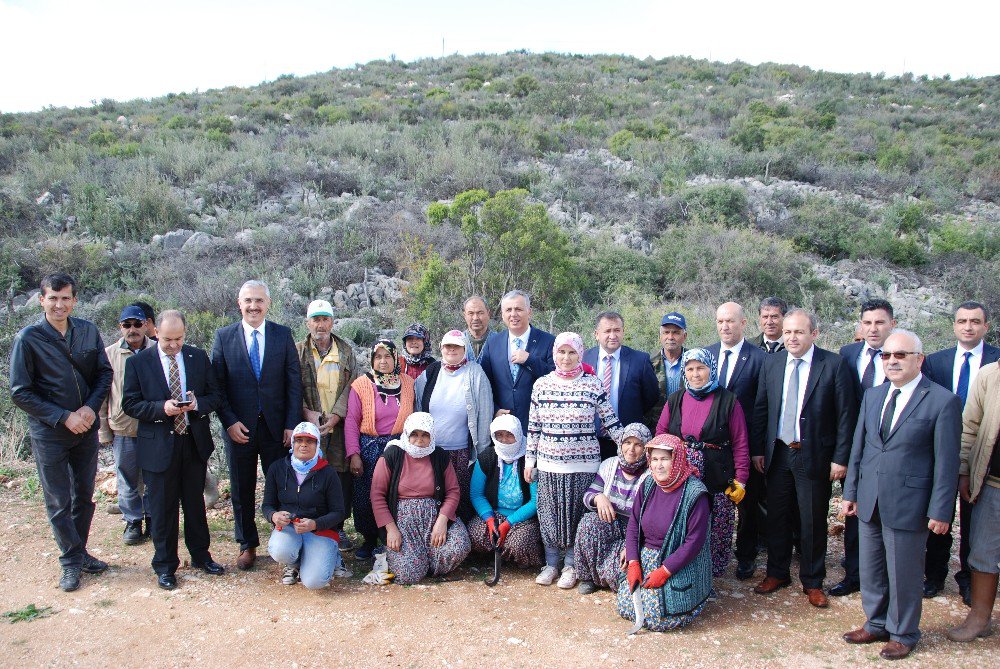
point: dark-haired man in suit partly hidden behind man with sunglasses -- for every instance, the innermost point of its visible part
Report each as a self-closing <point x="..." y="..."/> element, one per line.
<point x="877" y="322"/>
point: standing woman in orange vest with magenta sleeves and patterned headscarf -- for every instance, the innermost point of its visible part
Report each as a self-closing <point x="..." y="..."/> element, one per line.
<point x="377" y="407"/>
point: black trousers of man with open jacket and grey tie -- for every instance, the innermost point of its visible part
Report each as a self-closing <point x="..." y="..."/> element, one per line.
<point x="788" y="484"/>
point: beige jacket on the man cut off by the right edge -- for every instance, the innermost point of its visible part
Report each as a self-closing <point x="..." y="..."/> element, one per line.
<point x="980" y="427"/>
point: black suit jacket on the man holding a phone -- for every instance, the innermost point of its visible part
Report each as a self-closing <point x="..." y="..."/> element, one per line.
<point x="145" y="390"/>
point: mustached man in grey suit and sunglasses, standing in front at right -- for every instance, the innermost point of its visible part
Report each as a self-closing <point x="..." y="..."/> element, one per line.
<point x="901" y="482"/>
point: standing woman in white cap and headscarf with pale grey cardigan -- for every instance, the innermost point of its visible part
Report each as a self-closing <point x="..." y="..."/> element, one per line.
<point x="457" y="393"/>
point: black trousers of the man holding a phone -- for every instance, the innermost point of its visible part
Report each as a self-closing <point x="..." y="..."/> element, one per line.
<point x="181" y="484"/>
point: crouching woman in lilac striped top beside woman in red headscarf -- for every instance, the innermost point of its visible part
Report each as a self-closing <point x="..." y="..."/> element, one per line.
<point x="601" y="534"/>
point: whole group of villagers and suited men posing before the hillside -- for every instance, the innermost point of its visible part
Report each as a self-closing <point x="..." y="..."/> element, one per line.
<point x="604" y="467"/>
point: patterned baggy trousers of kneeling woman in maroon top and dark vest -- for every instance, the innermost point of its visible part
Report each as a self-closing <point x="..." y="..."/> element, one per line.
<point x="416" y="558"/>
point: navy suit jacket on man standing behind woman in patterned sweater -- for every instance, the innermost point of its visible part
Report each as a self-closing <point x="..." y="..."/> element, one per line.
<point x="510" y="395"/>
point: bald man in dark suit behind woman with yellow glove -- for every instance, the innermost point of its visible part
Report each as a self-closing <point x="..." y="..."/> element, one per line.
<point x="739" y="369"/>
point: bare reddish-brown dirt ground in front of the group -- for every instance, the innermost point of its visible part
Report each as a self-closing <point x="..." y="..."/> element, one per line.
<point x="121" y="618"/>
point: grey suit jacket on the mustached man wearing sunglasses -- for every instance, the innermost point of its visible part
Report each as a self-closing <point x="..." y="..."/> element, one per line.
<point x="913" y="474"/>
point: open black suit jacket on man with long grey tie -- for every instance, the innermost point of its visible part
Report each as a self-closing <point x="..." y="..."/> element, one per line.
<point x="826" y="422"/>
